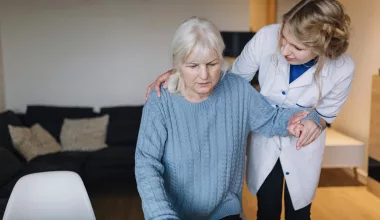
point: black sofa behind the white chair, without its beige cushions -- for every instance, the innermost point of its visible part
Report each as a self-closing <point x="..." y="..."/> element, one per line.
<point x="110" y="170"/>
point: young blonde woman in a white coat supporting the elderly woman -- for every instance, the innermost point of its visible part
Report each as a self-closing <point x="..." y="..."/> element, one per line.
<point x="302" y="63"/>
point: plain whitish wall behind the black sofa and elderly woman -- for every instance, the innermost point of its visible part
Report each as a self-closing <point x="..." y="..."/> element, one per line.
<point x="96" y="52"/>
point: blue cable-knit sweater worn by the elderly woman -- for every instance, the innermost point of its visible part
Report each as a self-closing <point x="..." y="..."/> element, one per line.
<point x="190" y="157"/>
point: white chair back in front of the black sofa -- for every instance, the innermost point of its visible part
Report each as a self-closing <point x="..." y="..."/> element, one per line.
<point x="57" y="195"/>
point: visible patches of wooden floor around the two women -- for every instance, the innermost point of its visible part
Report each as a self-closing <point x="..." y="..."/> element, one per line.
<point x="339" y="197"/>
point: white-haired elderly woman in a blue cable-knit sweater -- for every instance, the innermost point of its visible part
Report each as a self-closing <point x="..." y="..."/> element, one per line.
<point x="190" y="153"/>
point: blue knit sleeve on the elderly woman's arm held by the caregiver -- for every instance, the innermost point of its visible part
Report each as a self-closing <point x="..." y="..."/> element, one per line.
<point x="270" y="121"/>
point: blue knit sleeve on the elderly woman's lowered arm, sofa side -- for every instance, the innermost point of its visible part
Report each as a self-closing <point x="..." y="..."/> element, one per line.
<point x="149" y="168"/>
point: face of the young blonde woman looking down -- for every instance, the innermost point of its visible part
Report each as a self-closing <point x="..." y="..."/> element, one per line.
<point x="294" y="52"/>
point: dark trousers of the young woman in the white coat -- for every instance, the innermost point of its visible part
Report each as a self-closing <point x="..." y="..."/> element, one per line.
<point x="269" y="198"/>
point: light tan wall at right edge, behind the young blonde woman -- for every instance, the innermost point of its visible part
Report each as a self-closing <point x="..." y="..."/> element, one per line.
<point x="354" y="118"/>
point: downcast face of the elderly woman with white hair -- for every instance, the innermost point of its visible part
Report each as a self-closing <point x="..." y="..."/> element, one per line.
<point x="200" y="75"/>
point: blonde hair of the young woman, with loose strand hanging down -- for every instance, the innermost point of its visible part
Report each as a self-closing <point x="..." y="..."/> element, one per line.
<point x="321" y="25"/>
